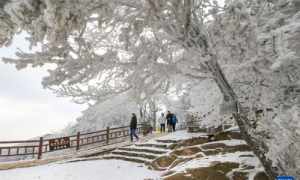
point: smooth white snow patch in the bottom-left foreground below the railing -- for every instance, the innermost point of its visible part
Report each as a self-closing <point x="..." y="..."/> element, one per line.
<point x="83" y="170"/>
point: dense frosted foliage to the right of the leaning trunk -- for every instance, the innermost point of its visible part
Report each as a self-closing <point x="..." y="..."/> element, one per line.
<point x="263" y="69"/>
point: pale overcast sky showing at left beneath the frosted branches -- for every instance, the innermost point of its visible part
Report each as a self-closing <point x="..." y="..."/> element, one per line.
<point x="26" y="109"/>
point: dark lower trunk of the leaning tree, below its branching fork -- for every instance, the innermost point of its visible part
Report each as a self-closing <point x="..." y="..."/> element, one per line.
<point x="231" y="98"/>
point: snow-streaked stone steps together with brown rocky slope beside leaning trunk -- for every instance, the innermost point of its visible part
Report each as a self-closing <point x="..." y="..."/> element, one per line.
<point x="190" y="156"/>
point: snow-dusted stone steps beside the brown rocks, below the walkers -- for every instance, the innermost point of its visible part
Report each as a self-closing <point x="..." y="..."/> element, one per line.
<point x="144" y="152"/>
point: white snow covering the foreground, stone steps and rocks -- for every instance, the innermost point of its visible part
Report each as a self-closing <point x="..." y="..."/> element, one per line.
<point x="95" y="169"/>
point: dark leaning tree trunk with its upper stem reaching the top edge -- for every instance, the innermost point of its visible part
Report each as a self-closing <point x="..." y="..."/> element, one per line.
<point x="228" y="93"/>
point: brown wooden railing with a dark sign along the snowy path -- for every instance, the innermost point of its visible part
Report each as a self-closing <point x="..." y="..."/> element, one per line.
<point x="41" y="146"/>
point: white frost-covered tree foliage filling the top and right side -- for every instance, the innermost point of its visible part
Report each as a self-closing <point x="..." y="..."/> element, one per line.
<point x="102" y="48"/>
